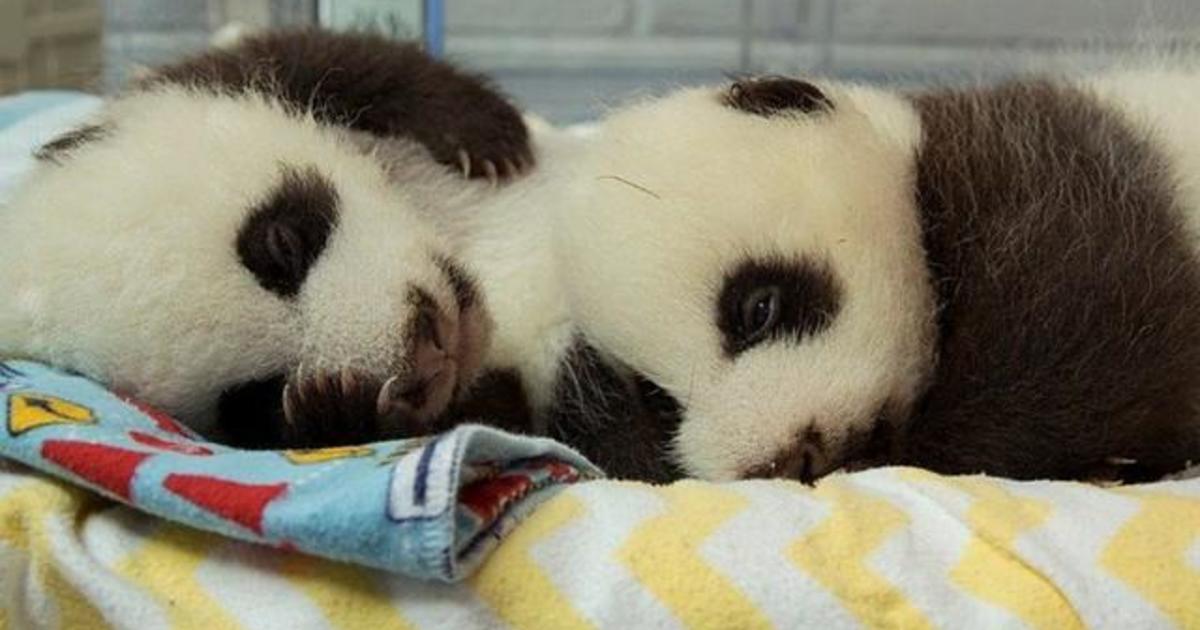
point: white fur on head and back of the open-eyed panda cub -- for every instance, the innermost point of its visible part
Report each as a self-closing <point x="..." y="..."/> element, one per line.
<point x="679" y="190"/>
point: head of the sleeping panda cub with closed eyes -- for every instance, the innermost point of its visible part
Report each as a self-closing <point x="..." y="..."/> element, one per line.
<point x="232" y="261"/>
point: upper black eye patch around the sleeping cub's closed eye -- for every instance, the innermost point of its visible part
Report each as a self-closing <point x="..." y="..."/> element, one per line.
<point x="287" y="232"/>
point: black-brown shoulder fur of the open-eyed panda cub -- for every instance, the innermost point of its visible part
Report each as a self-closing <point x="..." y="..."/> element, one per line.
<point x="1070" y="291"/>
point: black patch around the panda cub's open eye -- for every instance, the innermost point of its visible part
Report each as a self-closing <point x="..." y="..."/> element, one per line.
<point x="805" y="298"/>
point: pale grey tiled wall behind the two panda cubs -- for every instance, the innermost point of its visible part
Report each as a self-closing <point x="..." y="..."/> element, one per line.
<point x="568" y="58"/>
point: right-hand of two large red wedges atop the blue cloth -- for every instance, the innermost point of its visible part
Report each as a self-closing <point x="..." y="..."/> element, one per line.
<point x="232" y="501"/>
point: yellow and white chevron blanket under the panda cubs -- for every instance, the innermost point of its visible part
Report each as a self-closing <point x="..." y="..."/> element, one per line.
<point x="884" y="549"/>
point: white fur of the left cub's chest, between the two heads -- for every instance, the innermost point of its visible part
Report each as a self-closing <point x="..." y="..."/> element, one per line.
<point x="505" y="238"/>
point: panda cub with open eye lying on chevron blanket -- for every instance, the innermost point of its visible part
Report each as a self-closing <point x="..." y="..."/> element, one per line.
<point x="824" y="275"/>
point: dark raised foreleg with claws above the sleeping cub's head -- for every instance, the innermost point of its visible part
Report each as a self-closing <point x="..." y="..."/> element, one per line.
<point x="373" y="85"/>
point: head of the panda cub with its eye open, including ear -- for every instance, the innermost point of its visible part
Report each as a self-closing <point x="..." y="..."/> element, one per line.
<point x="757" y="253"/>
